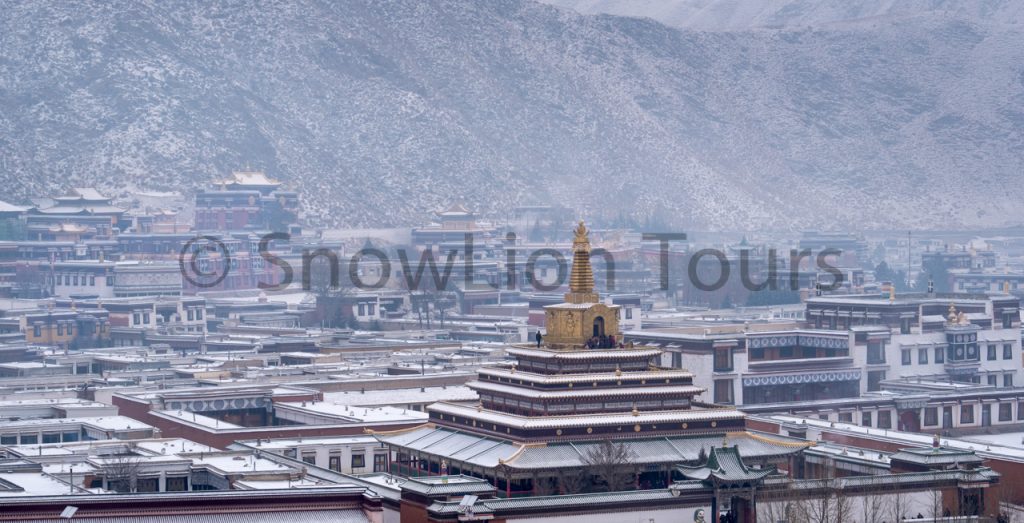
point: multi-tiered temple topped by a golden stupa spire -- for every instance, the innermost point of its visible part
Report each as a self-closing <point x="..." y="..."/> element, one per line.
<point x="549" y="412"/>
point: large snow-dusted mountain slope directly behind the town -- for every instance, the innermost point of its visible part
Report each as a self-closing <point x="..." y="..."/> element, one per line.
<point x="381" y="112"/>
